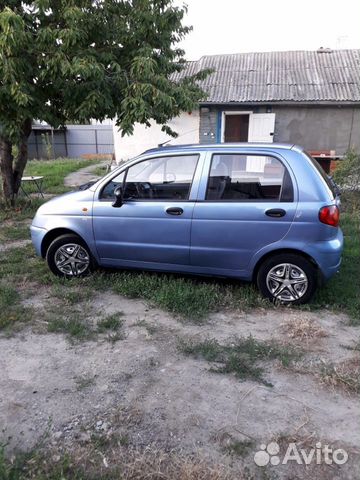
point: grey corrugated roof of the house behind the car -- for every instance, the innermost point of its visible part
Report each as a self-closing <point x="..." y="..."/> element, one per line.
<point x="299" y="76"/>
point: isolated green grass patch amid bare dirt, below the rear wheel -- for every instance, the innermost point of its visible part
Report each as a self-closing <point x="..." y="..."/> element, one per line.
<point x="241" y="356"/>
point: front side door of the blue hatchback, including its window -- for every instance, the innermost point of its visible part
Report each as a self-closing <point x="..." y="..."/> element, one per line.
<point x="152" y="226"/>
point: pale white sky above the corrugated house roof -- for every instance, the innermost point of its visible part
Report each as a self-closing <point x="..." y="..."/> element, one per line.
<point x="234" y="26"/>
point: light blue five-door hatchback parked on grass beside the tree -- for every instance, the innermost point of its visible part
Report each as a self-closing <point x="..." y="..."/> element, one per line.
<point x="259" y="212"/>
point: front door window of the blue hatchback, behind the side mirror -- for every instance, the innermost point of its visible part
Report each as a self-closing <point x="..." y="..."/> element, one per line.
<point x="160" y="178"/>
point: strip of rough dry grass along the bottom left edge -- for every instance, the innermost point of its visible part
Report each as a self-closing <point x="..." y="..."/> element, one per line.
<point x="120" y="462"/>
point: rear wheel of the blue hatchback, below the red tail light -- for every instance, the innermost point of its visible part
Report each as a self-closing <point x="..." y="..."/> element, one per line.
<point x="287" y="278"/>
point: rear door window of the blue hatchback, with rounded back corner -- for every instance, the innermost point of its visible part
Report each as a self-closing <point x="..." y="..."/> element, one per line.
<point x="235" y="177"/>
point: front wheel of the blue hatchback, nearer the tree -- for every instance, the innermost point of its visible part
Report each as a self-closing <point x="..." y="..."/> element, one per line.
<point x="69" y="256"/>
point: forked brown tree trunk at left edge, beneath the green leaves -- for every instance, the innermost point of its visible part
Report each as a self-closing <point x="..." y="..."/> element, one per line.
<point x="12" y="171"/>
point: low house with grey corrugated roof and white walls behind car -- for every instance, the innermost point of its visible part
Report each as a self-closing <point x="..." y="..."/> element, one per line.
<point x="311" y="98"/>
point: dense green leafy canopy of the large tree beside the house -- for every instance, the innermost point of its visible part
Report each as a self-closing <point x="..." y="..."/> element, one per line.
<point x="66" y="60"/>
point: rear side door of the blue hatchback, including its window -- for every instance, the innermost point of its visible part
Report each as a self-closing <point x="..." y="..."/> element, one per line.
<point x="246" y="202"/>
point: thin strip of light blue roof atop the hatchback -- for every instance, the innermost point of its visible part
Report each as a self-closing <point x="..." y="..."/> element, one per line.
<point x="215" y="146"/>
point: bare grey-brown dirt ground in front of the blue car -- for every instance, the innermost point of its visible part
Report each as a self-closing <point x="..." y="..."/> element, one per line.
<point x="143" y="389"/>
